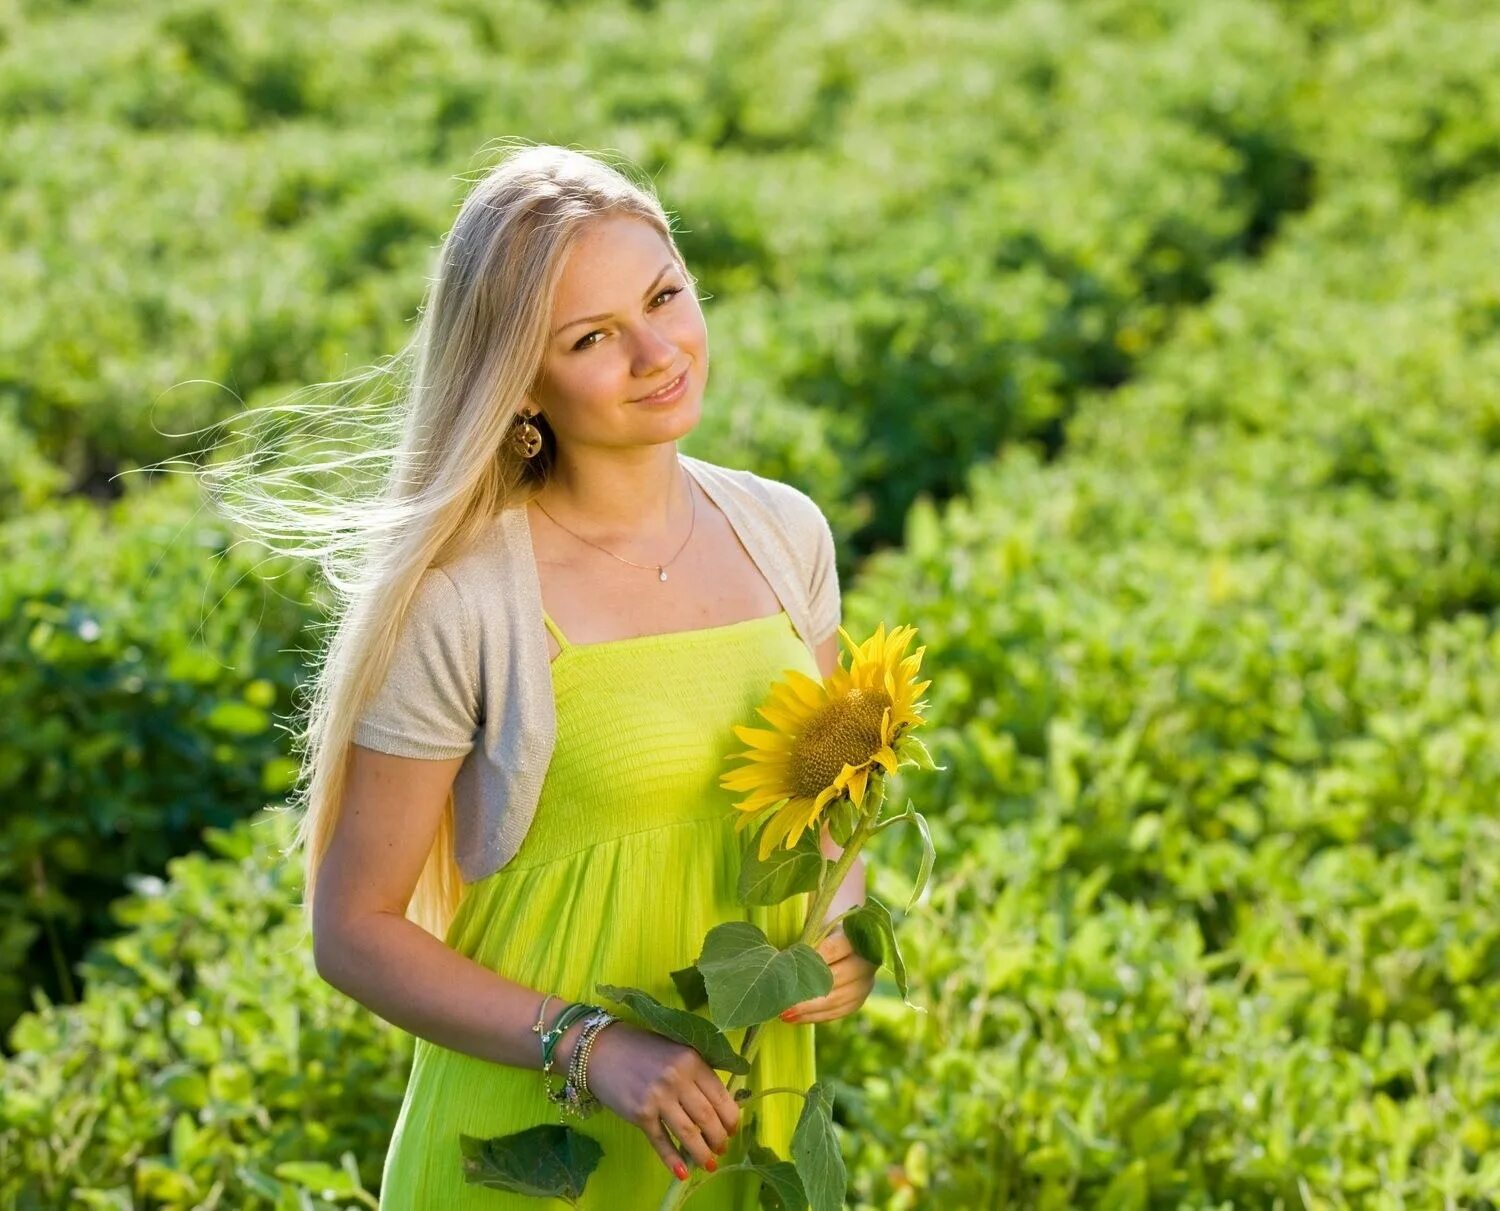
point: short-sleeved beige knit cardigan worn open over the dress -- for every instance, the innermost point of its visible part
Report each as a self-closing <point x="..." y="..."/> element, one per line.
<point x="473" y="663"/>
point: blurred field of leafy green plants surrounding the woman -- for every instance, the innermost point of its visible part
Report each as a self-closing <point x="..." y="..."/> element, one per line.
<point x="1145" y="358"/>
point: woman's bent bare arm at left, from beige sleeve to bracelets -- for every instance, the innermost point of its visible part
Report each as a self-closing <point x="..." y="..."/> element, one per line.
<point x="365" y="946"/>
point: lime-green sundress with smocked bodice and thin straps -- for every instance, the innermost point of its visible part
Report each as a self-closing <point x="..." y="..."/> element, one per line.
<point x="631" y="861"/>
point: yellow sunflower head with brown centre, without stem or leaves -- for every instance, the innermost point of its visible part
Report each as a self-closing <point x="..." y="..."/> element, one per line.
<point x="827" y="738"/>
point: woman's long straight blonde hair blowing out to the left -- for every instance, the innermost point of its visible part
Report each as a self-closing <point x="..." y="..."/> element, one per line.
<point x="448" y="457"/>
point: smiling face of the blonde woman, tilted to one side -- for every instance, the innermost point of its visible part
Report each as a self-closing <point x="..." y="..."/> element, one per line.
<point x="598" y="371"/>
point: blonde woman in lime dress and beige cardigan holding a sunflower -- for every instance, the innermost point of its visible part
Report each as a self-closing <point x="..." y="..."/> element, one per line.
<point x="515" y="741"/>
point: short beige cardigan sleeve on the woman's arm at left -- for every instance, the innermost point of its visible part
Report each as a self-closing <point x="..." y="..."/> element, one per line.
<point x="428" y="703"/>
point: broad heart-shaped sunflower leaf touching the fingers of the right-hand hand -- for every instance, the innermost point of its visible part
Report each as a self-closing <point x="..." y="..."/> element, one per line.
<point x="749" y="981"/>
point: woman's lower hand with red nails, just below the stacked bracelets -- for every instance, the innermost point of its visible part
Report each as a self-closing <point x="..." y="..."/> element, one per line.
<point x="650" y="1080"/>
